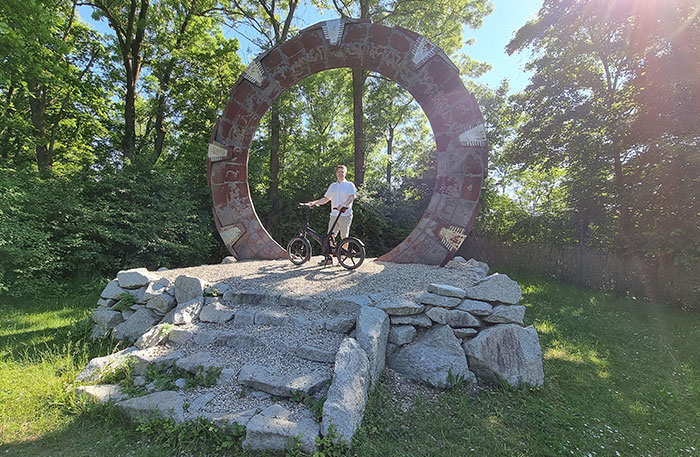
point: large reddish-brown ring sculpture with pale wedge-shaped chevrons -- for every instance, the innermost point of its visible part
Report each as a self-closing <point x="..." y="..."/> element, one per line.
<point x="415" y="64"/>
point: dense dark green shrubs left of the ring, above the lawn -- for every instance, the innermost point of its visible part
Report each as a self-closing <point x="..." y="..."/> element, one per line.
<point x="92" y="225"/>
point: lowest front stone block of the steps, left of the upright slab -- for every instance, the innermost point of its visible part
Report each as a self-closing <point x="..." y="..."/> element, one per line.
<point x="273" y="429"/>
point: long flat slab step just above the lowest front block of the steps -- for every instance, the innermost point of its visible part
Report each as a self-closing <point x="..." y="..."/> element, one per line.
<point x="269" y="380"/>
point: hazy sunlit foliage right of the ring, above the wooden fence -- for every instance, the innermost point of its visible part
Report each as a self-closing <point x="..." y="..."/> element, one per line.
<point x="598" y="107"/>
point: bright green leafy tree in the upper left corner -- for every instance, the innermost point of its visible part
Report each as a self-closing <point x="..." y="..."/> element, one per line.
<point x="52" y="99"/>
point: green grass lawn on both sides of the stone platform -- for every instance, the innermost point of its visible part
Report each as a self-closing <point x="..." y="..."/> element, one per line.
<point x="622" y="378"/>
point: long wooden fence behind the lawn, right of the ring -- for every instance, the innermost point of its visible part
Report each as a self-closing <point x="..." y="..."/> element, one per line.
<point x="658" y="279"/>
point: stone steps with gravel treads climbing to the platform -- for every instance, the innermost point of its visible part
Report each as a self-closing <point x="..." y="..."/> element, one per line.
<point x="271" y="352"/>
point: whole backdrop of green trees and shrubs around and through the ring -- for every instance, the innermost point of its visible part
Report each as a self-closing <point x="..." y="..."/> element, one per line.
<point x="103" y="133"/>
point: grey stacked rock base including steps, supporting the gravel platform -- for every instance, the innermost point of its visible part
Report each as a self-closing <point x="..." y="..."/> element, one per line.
<point x="268" y="352"/>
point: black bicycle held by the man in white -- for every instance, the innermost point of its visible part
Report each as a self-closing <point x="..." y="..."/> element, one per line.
<point x="350" y="251"/>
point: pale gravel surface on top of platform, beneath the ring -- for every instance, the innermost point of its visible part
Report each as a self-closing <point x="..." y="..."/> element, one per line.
<point x="312" y="280"/>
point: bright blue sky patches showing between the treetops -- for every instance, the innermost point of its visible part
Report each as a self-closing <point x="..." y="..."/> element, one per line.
<point x="489" y="45"/>
